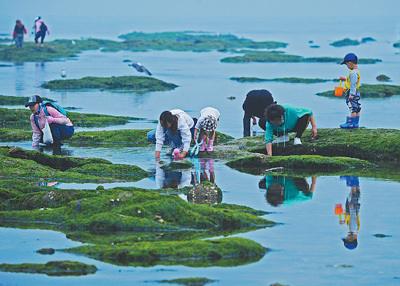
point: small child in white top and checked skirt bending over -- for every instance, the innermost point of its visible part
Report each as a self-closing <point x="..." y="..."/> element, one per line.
<point x="206" y="126"/>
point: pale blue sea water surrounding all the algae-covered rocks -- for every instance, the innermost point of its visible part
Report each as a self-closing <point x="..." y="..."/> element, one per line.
<point x="307" y="247"/>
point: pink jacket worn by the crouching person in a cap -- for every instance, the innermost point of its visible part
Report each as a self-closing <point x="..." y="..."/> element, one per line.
<point x="54" y="117"/>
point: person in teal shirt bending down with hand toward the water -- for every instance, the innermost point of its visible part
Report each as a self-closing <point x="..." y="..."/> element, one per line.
<point x="286" y="118"/>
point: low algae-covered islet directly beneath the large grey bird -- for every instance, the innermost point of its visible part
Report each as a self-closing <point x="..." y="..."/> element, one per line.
<point x="135" y="83"/>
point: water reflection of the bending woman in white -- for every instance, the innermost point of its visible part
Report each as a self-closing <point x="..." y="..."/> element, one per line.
<point x="171" y="178"/>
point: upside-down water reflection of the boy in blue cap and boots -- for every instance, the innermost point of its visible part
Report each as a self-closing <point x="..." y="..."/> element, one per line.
<point x="352" y="208"/>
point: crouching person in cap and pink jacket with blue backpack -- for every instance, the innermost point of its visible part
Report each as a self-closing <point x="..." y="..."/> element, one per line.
<point x="61" y="126"/>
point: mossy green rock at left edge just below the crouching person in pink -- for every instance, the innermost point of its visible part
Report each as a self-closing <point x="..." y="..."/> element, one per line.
<point x="32" y="165"/>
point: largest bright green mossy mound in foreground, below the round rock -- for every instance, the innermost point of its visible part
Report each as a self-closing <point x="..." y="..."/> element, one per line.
<point x="134" y="210"/>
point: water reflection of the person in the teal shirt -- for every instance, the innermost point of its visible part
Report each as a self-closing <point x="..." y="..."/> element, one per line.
<point x="283" y="190"/>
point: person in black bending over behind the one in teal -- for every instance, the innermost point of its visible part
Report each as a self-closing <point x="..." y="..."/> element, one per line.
<point x="254" y="106"/>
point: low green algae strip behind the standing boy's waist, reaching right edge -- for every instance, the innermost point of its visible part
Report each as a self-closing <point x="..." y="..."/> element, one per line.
<point x="370" y="91"/>
